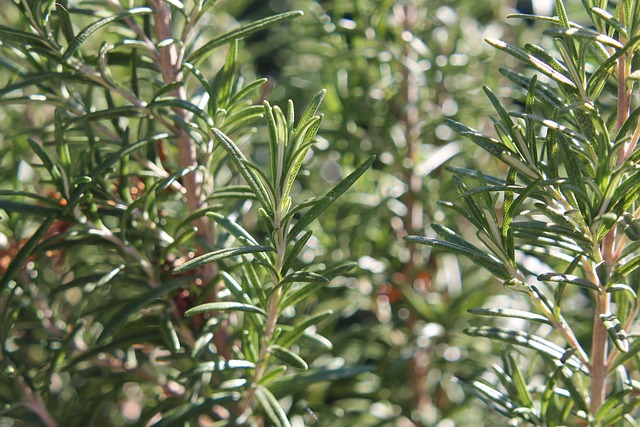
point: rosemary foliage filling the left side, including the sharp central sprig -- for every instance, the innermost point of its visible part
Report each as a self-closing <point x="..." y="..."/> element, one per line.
<point x="140" y="287"/>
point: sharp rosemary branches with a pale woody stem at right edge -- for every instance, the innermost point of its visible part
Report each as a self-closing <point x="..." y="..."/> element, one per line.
<point x="556" y="229"/>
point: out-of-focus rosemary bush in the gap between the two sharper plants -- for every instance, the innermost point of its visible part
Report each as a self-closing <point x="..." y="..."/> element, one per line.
<point x="393" y="71"/>
